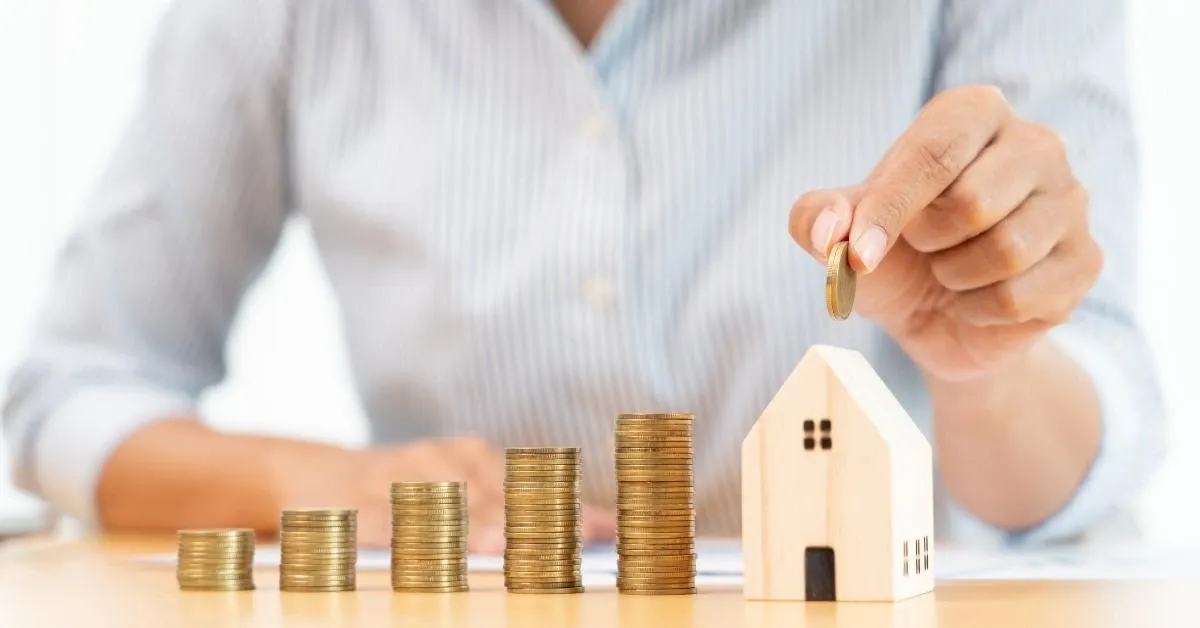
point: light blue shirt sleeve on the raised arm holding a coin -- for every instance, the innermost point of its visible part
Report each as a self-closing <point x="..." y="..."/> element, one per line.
<point x="1064" y="64"/>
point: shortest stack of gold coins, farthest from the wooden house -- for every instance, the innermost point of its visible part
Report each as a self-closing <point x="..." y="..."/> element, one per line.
<point x="217" y="560"/>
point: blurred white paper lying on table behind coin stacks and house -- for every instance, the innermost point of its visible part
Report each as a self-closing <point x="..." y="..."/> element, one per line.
<point x="719" y="564"/>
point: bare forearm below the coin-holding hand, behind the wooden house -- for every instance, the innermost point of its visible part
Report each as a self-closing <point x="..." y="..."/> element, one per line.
<point x="1015" y="446"/>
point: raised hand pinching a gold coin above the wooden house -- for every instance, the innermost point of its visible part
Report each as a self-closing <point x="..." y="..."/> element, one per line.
<point x="971" y="236"/>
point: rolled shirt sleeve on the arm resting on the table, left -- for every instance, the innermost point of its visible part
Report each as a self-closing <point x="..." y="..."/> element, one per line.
<point x="182" y="223"/>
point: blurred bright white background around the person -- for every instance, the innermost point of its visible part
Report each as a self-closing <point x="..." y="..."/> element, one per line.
<point x="70" y="74"/>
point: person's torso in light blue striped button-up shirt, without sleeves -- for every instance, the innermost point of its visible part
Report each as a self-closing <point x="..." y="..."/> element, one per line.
<point x="527" y="242"/>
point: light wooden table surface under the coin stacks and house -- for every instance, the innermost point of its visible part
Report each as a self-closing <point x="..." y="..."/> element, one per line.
<point x="94" y="583"/>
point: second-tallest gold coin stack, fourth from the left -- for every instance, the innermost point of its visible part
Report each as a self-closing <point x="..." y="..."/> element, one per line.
<point x="543" y="529"/>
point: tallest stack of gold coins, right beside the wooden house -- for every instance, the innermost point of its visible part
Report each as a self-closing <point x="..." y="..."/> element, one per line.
<point x="656" y="505"/>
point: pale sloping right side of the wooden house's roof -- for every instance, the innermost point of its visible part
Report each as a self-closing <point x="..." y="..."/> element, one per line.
<point x="865" y="386"/>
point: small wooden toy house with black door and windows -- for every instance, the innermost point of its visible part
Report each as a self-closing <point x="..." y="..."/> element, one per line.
<point x="837" y="489"/>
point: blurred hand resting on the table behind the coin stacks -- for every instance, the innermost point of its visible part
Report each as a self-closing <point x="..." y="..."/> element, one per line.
<point x="363" y="481"/>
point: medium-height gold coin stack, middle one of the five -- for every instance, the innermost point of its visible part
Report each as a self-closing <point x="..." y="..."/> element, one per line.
<point x="429" y="537"/>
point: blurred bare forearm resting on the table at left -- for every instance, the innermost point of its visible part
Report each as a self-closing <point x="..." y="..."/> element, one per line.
<point x="179" y="474"/>
